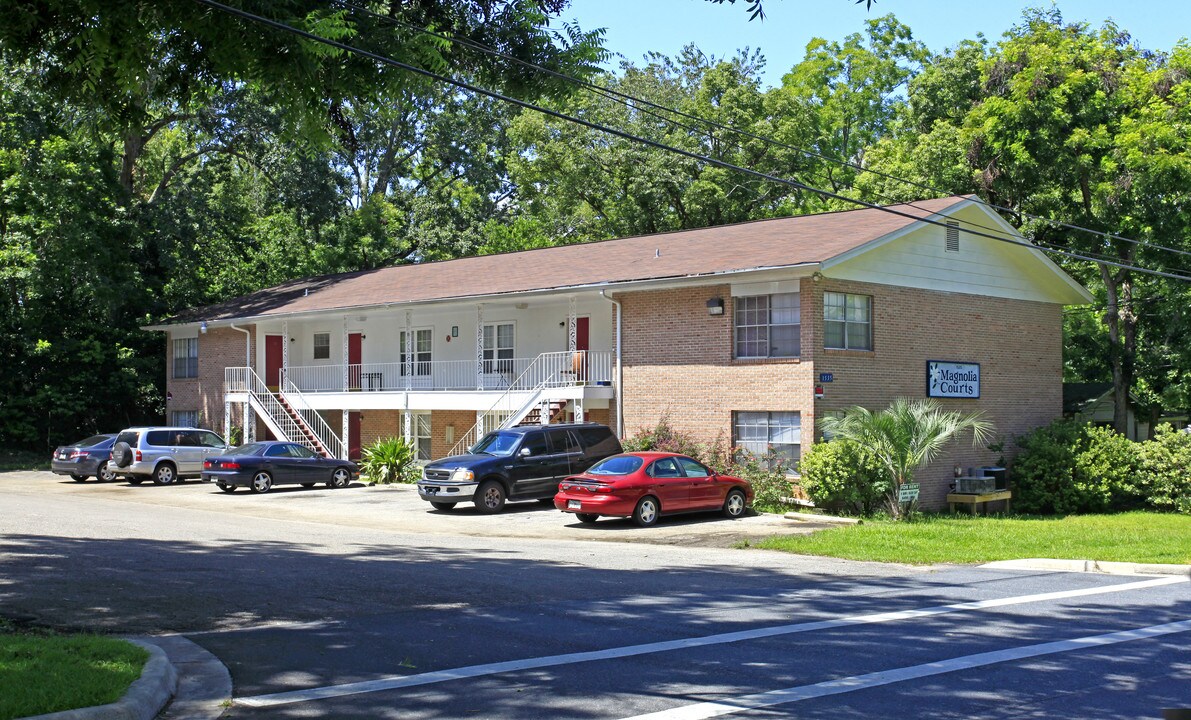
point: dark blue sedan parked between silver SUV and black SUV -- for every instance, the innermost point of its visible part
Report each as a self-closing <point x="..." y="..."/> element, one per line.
<point x="261" y="466"/>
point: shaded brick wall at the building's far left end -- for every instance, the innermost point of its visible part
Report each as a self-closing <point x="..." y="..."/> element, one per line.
<point x="219" y="349"/>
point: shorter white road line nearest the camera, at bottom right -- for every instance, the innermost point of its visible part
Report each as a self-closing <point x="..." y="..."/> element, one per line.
<point x="874" y="680"/>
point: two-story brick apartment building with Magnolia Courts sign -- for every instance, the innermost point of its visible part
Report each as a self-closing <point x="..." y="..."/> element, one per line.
<point x="744" y="333"/>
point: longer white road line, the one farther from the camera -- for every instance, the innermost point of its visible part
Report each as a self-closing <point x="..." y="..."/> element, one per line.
<point x="423" y="679"/>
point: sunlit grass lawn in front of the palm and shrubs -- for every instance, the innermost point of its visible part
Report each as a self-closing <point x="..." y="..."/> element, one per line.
<point x="1126" y="537"/>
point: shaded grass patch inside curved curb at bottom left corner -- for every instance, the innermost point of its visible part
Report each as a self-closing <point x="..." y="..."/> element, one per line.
<point x="45" y="672"/>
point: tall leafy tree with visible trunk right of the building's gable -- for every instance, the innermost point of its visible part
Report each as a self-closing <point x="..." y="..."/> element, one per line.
<point x="1072" y="123"/>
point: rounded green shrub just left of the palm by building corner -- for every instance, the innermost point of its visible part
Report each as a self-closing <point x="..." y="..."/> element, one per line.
<point x="838" y="475"/>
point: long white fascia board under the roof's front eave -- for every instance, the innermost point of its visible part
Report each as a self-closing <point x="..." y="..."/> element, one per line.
<point x="662" y="284"/>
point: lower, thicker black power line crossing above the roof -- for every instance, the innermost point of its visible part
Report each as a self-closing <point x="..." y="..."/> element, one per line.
<point x="628" y="136"/>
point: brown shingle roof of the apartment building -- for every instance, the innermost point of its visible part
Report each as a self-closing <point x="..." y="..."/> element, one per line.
<point x="781" y="242"/>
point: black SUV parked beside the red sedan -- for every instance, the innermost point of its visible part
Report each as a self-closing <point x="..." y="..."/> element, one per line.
<point x="519" y="464"/>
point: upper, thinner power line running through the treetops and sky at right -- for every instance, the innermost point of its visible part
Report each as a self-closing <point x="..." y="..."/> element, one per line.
<point x="631" y="99"/>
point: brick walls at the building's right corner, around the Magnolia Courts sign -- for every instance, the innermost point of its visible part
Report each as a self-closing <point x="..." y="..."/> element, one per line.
<point x="678" y="364"/>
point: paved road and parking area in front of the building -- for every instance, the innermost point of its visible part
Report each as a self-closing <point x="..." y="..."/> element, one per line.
<point x="363" y="604"/>
